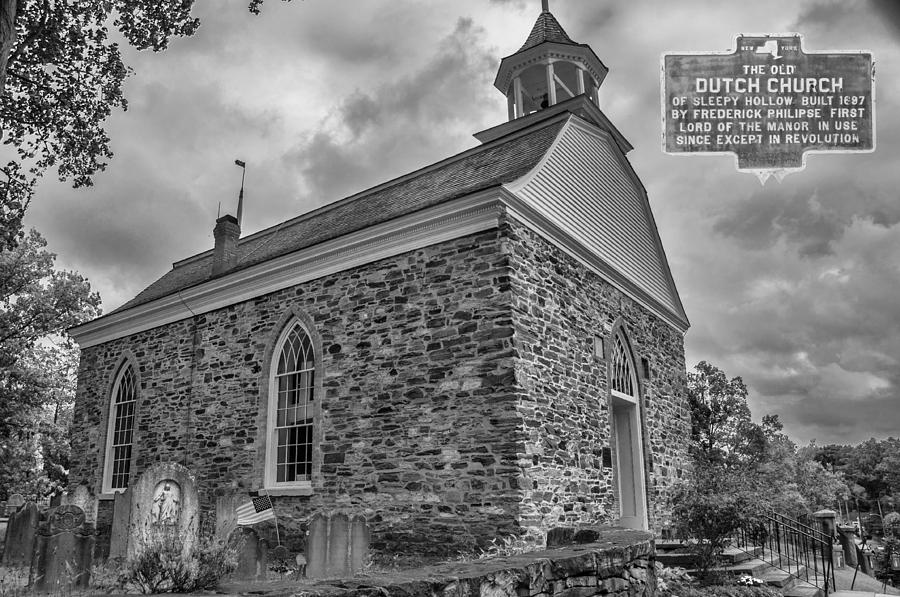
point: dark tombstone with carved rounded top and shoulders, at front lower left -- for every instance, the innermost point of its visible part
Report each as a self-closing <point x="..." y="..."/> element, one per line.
<point x="63" y="552"/>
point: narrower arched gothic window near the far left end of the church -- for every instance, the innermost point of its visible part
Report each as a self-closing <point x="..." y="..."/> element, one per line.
<point x="120" y="431"/>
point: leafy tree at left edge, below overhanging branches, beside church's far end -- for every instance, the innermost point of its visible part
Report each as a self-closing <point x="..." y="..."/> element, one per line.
<point x="37" y="365"/>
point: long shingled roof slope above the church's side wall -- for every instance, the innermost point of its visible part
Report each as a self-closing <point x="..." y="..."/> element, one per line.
<point x="483" y="167"/>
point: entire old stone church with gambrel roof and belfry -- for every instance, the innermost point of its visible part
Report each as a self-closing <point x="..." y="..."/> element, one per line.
<point x="489" y="346"/>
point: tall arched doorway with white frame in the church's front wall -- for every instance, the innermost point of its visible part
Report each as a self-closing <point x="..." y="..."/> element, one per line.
<point x="625" y="421"/>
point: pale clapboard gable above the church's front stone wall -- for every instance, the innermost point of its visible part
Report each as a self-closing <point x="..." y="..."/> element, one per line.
<point x="585" y="186"/>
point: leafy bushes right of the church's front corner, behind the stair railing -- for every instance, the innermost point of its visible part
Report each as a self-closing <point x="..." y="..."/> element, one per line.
<point x="741" y="468"/>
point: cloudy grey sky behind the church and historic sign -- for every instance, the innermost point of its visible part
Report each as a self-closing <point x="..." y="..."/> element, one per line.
<point x="793" y="286"/>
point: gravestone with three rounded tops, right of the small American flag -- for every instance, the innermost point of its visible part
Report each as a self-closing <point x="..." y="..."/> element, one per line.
<point x="336" y="546"/>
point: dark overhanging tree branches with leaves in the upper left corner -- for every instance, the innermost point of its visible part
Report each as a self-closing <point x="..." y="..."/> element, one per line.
<point x="60" y="78"/>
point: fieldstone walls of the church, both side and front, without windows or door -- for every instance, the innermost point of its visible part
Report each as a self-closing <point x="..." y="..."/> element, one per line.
<point x="460" y="400"/>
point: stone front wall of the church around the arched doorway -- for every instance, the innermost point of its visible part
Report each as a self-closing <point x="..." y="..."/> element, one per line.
<point x="559" y="306"/>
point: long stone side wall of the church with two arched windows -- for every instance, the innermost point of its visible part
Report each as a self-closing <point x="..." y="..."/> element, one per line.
<point x="418" y="428"/>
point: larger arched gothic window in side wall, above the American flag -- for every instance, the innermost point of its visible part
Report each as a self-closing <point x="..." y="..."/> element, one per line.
<point x="291" y="409"/>
